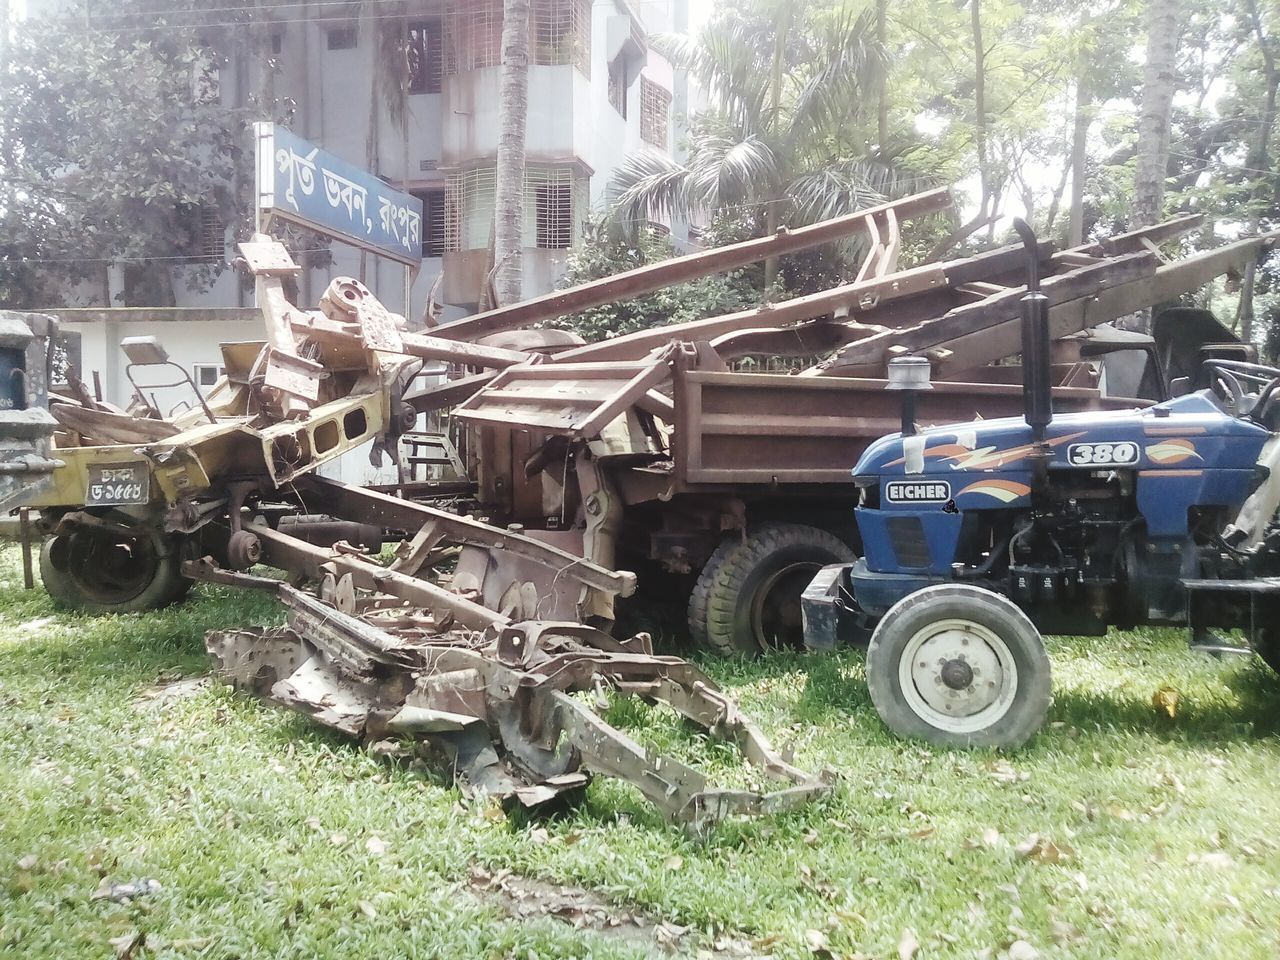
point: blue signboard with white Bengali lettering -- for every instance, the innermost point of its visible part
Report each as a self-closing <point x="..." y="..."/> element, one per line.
<point x="301" y="182"/>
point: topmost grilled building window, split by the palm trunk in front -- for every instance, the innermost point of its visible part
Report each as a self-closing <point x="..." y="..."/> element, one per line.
<point x="560" y="34"/>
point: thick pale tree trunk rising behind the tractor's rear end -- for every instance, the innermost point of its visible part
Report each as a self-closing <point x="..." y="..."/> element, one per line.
<point x="1164" y="21"/>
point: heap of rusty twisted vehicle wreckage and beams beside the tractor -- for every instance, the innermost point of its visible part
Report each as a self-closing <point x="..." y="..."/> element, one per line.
<point x="495" y="662"/>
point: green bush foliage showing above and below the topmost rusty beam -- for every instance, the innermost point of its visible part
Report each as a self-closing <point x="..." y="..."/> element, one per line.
<point x="607" y="252"/>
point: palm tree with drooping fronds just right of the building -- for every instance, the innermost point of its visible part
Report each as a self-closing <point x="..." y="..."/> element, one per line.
<point x="793" y="132"/>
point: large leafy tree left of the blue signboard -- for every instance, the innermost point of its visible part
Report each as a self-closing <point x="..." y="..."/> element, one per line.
<point x="115" y="141"/>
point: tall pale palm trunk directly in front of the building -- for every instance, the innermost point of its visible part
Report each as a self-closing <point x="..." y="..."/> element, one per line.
<point x="510" y="190"/>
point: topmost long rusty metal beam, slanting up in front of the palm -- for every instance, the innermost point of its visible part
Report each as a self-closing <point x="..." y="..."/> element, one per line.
<point x="647" y="280"/>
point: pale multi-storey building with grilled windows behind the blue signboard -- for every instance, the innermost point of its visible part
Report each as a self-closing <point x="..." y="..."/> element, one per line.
<point x="598" y="92"/>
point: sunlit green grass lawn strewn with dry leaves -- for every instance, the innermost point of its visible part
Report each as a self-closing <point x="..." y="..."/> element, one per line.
<point x="272" y="838"/>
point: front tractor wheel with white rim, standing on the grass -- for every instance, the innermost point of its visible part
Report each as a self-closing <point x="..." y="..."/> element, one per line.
<point x="959" y="666"/>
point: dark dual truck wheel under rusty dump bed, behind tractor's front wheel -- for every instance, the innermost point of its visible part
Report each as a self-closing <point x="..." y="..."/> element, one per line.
<point x="748" y="596"/>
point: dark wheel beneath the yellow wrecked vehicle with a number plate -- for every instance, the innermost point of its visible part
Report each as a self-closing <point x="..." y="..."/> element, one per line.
<point x="98" y="573"/>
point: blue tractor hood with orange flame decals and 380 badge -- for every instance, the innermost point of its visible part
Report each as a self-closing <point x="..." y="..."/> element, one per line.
<point x="1188" y="433"/>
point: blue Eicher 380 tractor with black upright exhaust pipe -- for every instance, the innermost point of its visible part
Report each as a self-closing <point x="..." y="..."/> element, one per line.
<point x="979" y="538"/>
